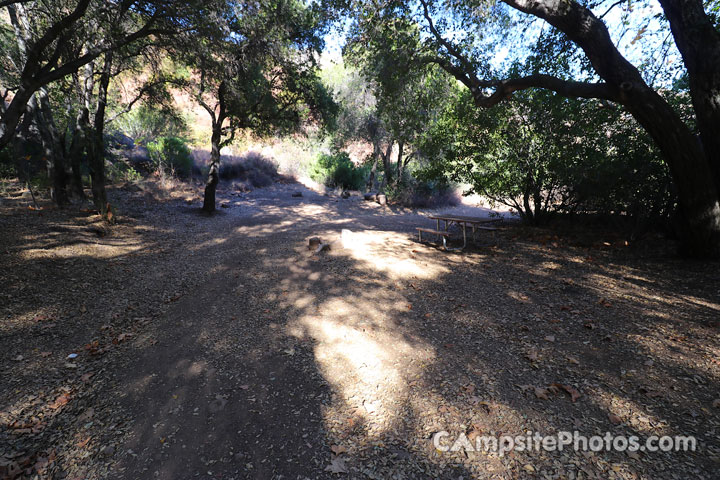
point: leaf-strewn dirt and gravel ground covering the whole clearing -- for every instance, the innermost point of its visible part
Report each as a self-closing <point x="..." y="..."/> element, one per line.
<point x="178" y="346"/>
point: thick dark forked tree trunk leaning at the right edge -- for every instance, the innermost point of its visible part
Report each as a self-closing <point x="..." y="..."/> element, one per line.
<point x="693" y="167"/>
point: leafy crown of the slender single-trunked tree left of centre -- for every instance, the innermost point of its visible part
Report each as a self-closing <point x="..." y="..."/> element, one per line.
<point x="258" y="72"/>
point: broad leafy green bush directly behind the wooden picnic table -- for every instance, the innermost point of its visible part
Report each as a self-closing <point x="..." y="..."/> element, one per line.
<point x="540" y="153"/>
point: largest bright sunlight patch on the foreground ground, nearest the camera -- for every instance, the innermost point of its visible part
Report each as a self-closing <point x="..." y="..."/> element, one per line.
<point x="361" y="353"/>
